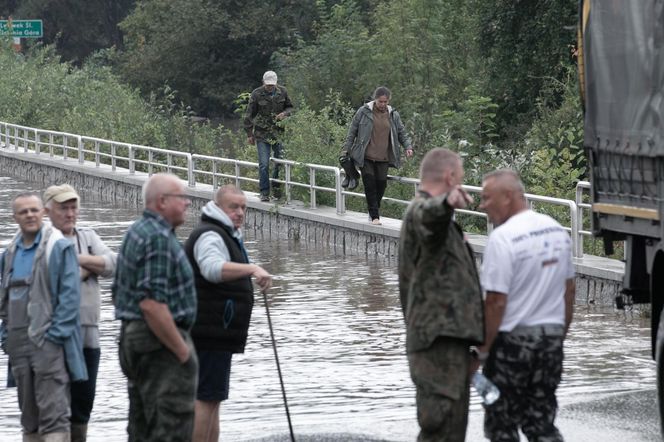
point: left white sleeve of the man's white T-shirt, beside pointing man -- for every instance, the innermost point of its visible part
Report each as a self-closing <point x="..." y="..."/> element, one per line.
<point x="497" y="266"/>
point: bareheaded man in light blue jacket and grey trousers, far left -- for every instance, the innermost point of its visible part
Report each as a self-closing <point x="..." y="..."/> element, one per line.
<point x="40" y="330"/>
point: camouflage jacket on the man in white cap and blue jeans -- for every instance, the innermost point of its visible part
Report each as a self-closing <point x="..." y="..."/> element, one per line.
<point x="263" y="107"/>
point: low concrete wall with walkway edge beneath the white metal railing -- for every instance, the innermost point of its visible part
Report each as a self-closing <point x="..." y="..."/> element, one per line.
<point x="599" y="279"/>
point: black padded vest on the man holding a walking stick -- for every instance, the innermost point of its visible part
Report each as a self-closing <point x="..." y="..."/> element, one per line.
<point x="224" y="309"/>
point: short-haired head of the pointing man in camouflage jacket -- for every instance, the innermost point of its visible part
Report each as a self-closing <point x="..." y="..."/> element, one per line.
<point x="440" y="171"/>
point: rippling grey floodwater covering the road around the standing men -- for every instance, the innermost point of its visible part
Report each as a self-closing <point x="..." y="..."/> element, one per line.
<point x="340" y="337"/>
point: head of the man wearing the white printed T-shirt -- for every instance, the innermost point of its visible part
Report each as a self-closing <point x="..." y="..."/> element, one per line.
<point x="503" y="195"/>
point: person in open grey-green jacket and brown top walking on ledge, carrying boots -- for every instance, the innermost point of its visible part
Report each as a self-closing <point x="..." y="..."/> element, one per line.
<point x="372" y="144"/>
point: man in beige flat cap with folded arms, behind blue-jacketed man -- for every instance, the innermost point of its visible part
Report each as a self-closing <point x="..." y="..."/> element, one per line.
<point x="95" y="259"/>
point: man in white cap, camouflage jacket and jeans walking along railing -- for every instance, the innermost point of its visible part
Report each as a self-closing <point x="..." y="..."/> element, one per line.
<point x="268" y="104"/>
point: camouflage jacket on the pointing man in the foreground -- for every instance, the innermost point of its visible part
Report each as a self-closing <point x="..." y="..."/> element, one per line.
<point x="438" y="280"/>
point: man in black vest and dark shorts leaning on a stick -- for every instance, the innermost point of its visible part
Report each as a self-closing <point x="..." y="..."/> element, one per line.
<point x="225" y="299"/>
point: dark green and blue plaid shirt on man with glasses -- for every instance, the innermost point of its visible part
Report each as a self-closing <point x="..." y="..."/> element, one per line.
<point x="152" y="264"/>
